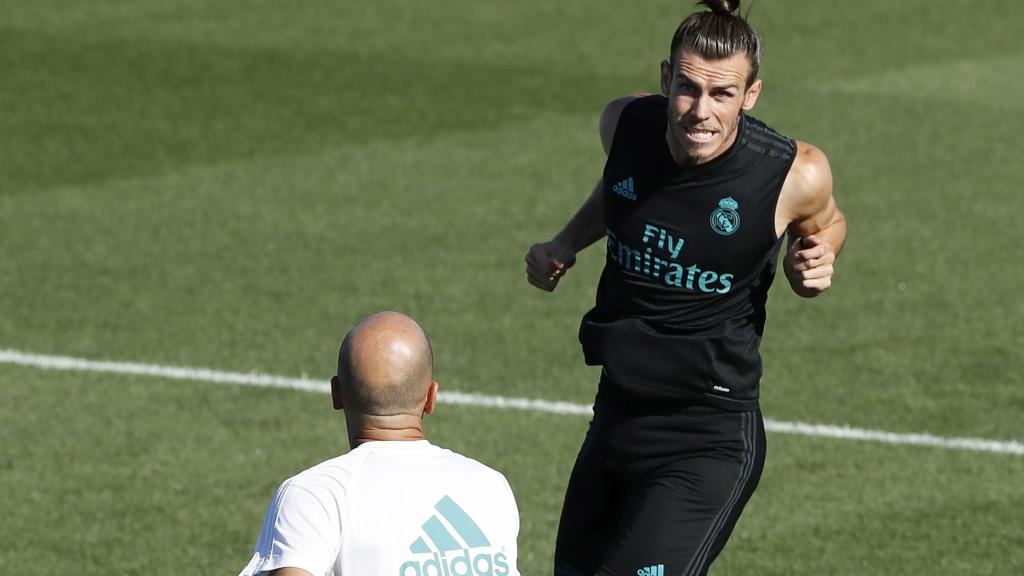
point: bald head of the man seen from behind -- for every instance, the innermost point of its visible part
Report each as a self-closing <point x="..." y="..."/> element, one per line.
<point x="386" y="365"/>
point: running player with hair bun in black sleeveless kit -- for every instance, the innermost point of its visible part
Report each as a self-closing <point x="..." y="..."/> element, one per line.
<point x="695" y="201"/>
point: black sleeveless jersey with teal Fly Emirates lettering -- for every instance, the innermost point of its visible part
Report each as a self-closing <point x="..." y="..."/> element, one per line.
<point x="692" y="253"/>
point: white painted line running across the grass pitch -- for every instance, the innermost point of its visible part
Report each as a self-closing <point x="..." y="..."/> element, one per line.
<point x="483" y="400"/>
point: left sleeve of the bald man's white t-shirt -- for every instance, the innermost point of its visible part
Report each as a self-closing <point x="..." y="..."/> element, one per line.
<point x="301" y="530"/>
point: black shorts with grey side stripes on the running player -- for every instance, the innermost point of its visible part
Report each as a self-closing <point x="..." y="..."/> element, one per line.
<point x="658" y="486"/>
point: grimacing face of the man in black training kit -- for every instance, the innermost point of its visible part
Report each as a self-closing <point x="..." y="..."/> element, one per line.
<point x="705" y="102"/>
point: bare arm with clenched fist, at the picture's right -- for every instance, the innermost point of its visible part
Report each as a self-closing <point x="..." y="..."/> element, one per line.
<point x="814" y="222"/>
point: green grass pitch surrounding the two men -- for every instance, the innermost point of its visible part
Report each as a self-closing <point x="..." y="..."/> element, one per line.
<point x="232" y="185"/>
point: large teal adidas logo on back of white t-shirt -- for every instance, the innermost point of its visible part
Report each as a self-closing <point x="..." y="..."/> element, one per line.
<point x="454" y="541"/>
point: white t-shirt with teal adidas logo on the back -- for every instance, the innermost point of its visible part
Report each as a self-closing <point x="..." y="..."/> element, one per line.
<point x="393" y="509"/>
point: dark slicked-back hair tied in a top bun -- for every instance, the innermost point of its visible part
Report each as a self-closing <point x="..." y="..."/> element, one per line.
<point x="717" y="34"/>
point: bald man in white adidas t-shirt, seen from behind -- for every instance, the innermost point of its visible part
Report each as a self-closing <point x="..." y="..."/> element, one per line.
<point x="396" y="505"/>
